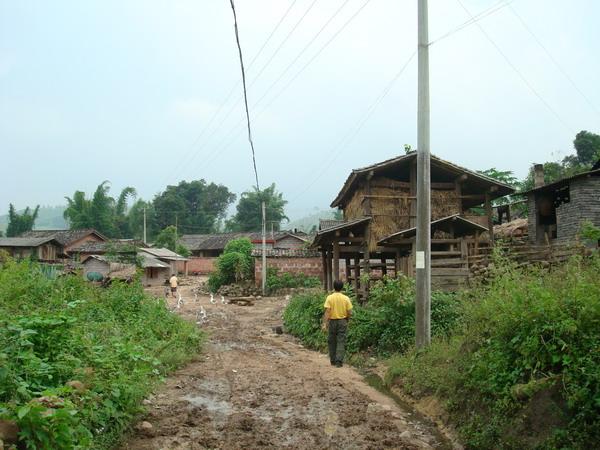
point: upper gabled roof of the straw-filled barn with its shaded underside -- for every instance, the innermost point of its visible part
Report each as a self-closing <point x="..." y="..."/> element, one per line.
<point x="441" y="170"/>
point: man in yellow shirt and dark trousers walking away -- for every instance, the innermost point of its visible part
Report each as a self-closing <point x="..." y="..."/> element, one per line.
<point x="338" y="310"/>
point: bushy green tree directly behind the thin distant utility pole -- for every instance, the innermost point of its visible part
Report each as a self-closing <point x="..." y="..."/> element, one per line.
<point x="248" y="215"/>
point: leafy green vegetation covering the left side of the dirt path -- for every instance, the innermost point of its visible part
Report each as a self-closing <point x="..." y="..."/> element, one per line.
<point x="76" y="361"/>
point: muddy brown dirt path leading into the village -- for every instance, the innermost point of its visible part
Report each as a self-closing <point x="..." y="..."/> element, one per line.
<point x="252" y="388"/>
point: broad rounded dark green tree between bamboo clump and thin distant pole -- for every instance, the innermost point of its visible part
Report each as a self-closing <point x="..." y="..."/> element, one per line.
<point x="196" y="206"/>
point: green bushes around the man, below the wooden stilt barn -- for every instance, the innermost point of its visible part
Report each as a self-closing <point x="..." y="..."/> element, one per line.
<point x="386" y="324"/>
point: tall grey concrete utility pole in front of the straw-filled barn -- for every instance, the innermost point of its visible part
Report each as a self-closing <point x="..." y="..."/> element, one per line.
<point x="423" y="256"/>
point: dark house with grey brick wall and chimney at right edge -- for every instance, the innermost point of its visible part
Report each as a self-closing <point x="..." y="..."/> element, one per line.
<point x="557" y="210"/>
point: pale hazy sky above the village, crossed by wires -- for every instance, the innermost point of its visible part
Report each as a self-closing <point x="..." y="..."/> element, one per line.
<point x="124" y="91"/>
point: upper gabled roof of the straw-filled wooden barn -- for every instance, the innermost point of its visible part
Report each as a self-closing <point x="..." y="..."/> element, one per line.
<point x="357" y="174"/>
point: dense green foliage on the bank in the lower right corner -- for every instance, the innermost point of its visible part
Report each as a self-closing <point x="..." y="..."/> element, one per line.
<point x="523" y="370"/>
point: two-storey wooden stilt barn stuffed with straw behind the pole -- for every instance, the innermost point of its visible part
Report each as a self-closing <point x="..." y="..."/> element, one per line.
<point x="377" y="235"/>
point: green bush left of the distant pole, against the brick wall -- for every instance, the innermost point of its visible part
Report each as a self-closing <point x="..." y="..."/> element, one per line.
<point x="235" y="265"/>
